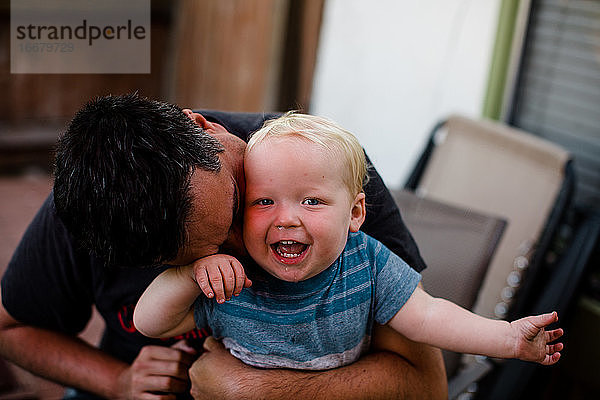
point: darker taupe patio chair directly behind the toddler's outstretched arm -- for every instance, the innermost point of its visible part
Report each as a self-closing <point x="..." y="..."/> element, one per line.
<point x="456" y="244"/>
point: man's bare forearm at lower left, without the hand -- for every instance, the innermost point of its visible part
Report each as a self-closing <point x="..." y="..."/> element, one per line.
<point x="64" y="359"/>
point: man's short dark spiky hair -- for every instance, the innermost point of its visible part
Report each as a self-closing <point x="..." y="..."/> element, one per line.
<point x="122" y="177"/>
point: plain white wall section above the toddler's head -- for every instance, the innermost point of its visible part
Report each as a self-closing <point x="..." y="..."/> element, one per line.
<point x="388" y="70"/>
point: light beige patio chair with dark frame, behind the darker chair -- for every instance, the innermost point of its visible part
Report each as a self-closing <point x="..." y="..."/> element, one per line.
<point x="490" y="168"/>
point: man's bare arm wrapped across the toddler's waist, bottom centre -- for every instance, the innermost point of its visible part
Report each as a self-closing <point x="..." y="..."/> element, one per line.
<point x="416" y="374"/>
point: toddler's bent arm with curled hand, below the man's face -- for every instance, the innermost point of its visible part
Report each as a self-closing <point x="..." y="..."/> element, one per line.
<point x="166" y="308"/>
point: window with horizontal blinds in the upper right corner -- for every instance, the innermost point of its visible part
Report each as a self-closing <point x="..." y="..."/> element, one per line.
<point x="558" y="90"/>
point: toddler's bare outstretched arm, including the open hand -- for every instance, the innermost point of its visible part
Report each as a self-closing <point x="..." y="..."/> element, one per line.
<point x="444" y="324"/>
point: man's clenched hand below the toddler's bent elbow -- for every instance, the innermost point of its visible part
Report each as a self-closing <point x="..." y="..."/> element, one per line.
<point x="158" y="372"/>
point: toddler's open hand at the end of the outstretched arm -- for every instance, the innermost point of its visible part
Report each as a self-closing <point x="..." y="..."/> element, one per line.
<point x="533" y="341"/>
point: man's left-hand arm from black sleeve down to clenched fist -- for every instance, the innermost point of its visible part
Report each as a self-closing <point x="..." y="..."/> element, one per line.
<point x="47" y="284"/>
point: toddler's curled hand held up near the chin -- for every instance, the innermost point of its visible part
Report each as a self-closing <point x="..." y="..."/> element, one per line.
<point x="220" y="276"/>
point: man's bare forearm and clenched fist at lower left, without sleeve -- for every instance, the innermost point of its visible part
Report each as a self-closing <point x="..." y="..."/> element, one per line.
<point x="72" y="362"/>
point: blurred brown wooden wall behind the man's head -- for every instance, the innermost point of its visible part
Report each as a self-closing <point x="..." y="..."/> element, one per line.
<point x="239" y="55"/>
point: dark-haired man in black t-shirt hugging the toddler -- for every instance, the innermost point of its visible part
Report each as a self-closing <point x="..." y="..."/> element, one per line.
<point x="138" y="187"/>
